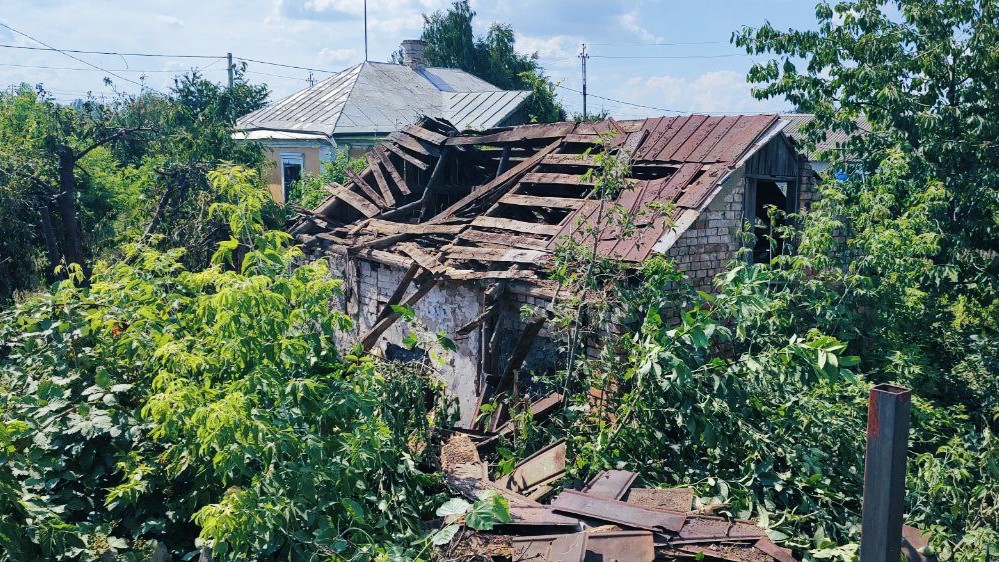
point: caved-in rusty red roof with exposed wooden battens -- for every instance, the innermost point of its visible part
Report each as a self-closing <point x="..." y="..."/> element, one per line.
<point x="495" y="204"/>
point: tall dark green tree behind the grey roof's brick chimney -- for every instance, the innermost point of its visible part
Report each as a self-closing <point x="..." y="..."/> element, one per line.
<point x="451" y="43"/>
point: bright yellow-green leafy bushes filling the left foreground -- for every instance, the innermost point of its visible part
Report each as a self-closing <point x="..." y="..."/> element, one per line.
<point x="162" y="403"/>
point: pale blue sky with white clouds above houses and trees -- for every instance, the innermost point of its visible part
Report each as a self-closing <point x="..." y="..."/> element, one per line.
<point x="652" y="57"/>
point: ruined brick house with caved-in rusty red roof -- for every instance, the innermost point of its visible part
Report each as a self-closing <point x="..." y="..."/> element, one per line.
<point x="461" y="228"/>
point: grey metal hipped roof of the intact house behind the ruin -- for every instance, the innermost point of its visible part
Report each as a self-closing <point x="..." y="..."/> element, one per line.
<point x="383" y="97"/>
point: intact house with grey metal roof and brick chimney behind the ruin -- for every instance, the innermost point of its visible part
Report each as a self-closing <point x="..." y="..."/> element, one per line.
<point x="354" y="109"/>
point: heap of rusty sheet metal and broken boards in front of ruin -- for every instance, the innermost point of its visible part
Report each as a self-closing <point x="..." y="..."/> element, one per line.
<point x="607" y="520"/>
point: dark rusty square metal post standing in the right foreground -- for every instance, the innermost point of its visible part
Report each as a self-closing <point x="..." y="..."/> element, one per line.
<point x="884" y="473"/>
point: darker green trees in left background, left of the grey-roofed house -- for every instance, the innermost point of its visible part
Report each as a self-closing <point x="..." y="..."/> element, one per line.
<point x="139" y="168"/>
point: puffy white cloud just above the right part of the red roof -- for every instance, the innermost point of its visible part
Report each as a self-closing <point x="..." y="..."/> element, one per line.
<point x="711" y="92"/>
